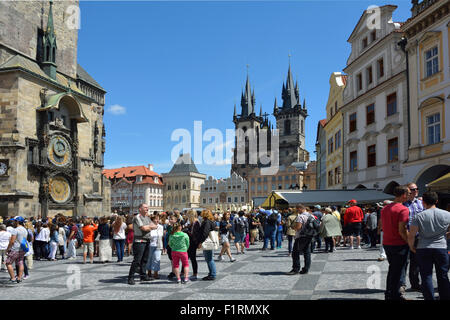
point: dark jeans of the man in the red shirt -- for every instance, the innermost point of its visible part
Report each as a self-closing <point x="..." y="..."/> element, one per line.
<point x="397" y="257"/>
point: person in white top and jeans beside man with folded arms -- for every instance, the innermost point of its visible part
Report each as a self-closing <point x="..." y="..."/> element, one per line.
<point x="155" y="247"/>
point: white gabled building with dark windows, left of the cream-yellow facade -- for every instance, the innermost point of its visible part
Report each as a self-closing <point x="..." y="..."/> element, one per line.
<point x="375" y="101"/>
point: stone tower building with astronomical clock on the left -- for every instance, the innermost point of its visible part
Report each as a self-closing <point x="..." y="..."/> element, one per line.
<point x="52" y="135"/>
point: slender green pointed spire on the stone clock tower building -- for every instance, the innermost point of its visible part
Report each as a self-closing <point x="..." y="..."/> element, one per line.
<point x="49" y="44"/>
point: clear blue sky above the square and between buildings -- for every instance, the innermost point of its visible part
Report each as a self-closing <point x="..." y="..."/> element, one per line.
<point x="167" y="64"/>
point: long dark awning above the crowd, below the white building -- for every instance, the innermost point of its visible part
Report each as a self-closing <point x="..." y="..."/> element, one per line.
<point x="325" y="197"/>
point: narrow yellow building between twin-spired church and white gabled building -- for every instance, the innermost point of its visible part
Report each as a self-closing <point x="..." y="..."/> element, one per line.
<point x="334" y="132"/>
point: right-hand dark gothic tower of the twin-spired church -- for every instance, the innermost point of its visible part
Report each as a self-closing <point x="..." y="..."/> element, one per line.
<point x="290" y="119"/>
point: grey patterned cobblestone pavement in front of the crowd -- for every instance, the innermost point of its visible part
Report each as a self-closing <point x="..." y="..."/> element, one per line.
<point x="256" y="275"/>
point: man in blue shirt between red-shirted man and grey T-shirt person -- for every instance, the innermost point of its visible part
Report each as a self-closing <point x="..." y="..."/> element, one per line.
<point x="415" y="206"/>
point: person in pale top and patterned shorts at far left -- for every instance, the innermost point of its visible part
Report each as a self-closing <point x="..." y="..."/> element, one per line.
<point x="14" y="251"/>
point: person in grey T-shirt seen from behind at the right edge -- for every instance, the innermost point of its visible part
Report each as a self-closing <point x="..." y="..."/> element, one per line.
<point x="432" y="226"/>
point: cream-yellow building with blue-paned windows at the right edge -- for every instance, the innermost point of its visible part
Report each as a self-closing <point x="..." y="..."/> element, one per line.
<point x="427" y="34"/>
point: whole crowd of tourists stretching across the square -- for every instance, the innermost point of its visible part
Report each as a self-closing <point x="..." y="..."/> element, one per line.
<point x="408" y="229"/>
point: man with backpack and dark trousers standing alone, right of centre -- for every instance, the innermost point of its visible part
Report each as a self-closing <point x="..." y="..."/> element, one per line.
<point x="302" y="243"/>
